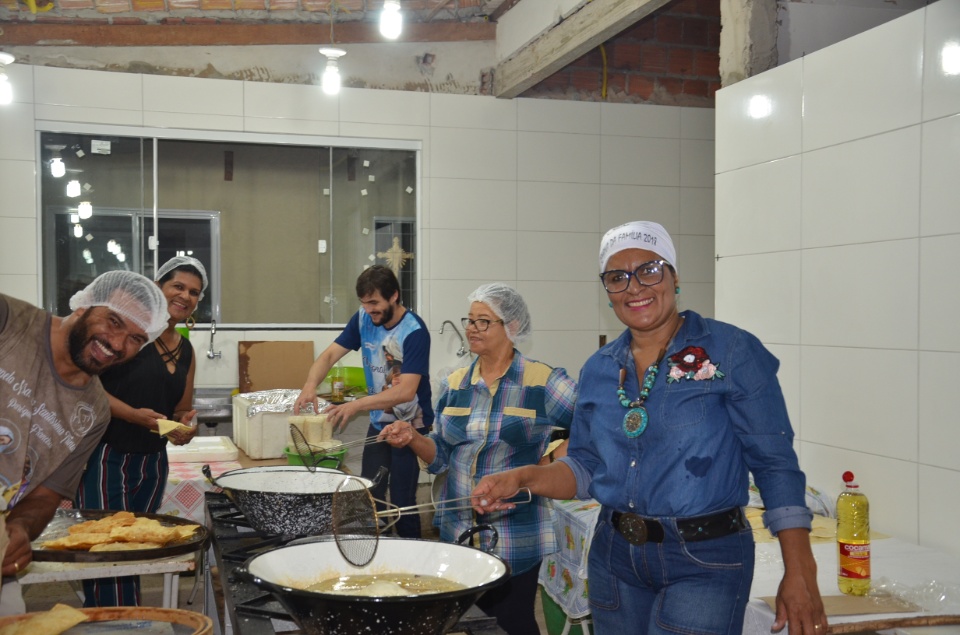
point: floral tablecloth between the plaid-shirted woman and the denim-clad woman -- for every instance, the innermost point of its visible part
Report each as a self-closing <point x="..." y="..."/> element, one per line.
<point x="564" y="574"/>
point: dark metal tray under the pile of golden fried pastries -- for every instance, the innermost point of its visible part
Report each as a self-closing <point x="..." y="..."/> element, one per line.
<point x="63" y="519"/>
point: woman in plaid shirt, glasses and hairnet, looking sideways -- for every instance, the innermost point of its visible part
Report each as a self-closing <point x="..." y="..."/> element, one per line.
<point x="496" y="414"/>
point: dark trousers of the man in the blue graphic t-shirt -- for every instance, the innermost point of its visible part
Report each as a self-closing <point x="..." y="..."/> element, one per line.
<point x="404" y="474"/>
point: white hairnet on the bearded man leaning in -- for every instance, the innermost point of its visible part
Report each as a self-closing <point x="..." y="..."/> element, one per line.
<point x="135" y="297"/>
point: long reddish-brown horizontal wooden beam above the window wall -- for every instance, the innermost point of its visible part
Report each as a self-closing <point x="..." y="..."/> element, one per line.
<point x="43" y="34"/>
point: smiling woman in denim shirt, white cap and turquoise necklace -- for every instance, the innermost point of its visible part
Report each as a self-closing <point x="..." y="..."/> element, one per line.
<point x="670" y="418"/>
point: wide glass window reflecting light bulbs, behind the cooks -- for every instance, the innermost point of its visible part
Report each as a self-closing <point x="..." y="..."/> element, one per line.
<point x="284" y="230"/>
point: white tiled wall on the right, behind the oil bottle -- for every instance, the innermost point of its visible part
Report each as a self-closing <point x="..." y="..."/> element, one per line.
<point x="872" y="191"/>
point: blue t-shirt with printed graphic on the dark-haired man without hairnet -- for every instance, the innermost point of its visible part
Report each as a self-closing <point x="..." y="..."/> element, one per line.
<point x="387" y="353"/>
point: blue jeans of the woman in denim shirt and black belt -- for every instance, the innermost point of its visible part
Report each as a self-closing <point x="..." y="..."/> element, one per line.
<point x="670" y="587"/>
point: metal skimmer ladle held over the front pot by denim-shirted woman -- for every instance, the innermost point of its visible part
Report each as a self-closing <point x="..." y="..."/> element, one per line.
<point x="356" y="521"/>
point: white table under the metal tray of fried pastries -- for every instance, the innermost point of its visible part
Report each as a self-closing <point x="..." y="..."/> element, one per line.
<point x="170" y="568"/>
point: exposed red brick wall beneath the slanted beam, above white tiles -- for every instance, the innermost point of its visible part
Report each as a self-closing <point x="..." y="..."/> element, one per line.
<point x="670" y="58"/>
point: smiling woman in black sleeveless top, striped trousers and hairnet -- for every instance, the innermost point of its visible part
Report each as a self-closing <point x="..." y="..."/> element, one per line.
<point x="128" y="469"/>
